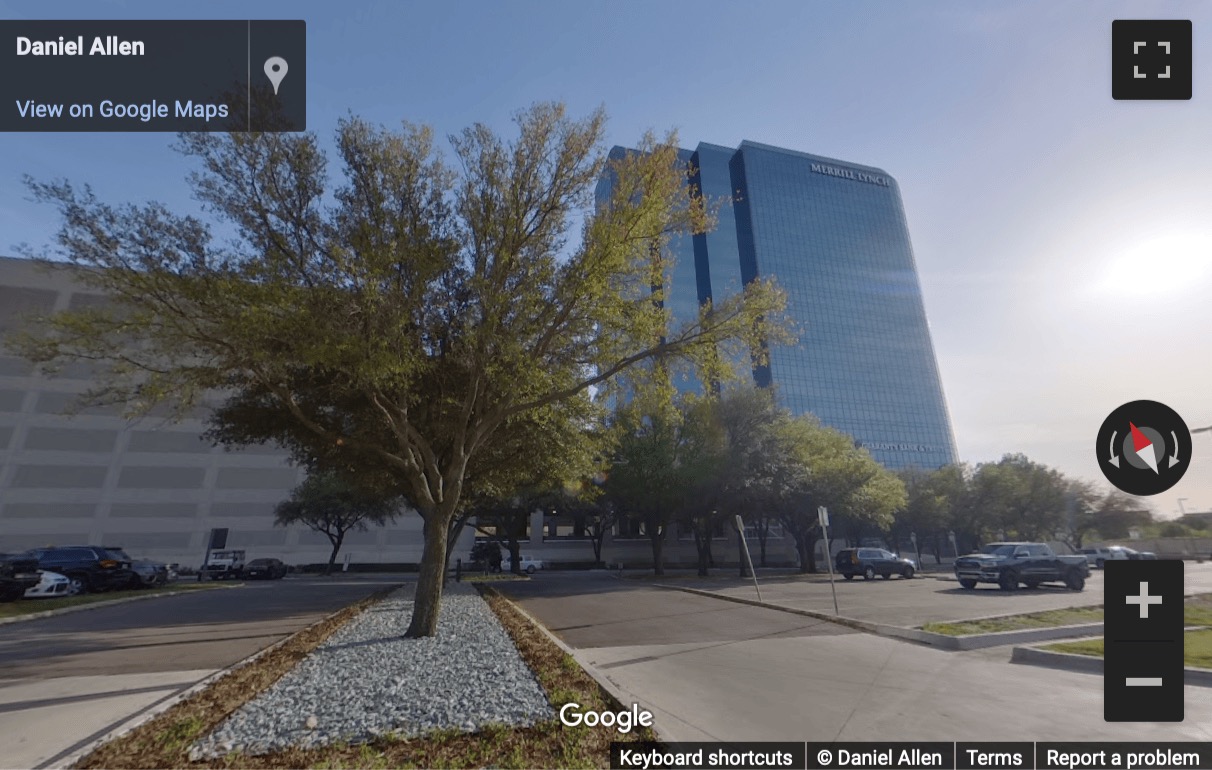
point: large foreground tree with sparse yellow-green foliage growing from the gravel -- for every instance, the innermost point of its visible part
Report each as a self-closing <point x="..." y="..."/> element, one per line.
<point x="405" y="318"/>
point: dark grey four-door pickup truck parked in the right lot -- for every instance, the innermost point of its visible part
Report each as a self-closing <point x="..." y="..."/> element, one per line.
<point x="1028" y="564"/>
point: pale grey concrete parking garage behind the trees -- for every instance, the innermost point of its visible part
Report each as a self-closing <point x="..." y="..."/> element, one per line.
<point x="157" y="488"/>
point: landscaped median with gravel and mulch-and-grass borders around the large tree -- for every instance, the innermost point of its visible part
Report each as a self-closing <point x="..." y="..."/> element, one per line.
<point x="351" y="692"/>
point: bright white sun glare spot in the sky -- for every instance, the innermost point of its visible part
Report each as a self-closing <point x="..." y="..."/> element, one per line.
<point x="1171" y="264"/>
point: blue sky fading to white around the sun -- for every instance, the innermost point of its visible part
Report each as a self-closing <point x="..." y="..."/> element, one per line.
<point x="1065" y="241"/>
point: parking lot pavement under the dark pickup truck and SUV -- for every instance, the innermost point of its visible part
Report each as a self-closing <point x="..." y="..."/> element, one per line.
<point x="911" y="603"/>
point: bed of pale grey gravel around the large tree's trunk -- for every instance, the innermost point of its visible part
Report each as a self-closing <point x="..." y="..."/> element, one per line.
<point x="368" y="681"/>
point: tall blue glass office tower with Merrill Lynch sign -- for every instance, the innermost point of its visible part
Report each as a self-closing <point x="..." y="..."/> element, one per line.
<point x="834" y="237"/>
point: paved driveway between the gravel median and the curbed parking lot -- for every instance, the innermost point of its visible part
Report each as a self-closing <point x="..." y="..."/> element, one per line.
<point x="718" y="671"/>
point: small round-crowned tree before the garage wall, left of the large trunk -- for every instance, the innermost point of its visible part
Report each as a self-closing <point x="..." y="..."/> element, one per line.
<point x="334" y="507"/>
